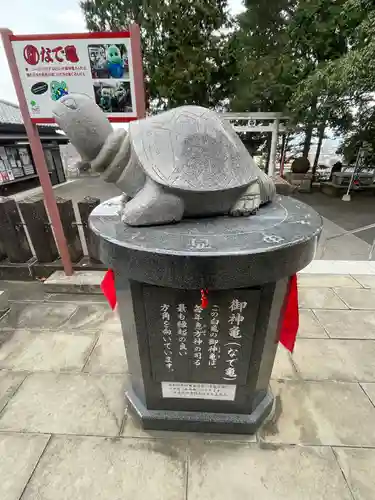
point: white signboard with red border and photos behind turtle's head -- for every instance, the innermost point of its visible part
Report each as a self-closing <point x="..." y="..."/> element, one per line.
<point x="96" y="64"/>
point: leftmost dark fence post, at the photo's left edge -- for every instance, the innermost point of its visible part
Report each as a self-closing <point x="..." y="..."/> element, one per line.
<point x="12" y="232"/>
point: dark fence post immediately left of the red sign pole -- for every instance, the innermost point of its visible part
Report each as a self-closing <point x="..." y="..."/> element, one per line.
<point x="36" y="219"/>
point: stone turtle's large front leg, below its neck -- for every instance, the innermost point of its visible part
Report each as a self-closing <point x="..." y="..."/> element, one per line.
<point x="152" y="205"/>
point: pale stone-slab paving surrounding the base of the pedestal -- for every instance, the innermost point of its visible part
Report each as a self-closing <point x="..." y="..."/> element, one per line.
<point x="65" y="432"/>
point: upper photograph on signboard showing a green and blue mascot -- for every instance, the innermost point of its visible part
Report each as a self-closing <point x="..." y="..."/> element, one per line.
<point x="109" y="61"/>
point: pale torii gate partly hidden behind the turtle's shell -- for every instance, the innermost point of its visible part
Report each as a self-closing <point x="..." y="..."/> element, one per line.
<point x="251" y="124"/>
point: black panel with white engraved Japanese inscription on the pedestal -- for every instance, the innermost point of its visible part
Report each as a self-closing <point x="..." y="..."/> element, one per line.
<point x="189" y="343"/>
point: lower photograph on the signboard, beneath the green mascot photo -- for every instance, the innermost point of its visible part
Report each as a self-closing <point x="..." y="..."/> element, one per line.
<point x="113" y="97"/>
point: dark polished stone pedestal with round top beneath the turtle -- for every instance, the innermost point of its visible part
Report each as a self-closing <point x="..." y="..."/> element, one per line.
<point x="194" y="368"/>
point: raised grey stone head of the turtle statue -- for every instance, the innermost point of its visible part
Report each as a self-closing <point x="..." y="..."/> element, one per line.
<point x="83" y="122"/>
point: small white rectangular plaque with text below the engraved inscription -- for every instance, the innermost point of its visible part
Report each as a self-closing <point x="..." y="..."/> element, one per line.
<point x="186" y="390"/>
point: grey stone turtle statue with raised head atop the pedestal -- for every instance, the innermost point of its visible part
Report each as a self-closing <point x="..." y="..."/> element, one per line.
<point x="185" y="162"/>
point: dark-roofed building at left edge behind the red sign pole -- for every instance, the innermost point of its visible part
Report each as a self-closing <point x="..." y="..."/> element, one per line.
<point x="16" y="161"/>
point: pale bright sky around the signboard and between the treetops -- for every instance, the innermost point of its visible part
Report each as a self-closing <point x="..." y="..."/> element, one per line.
<point x="44" y="16"/>
